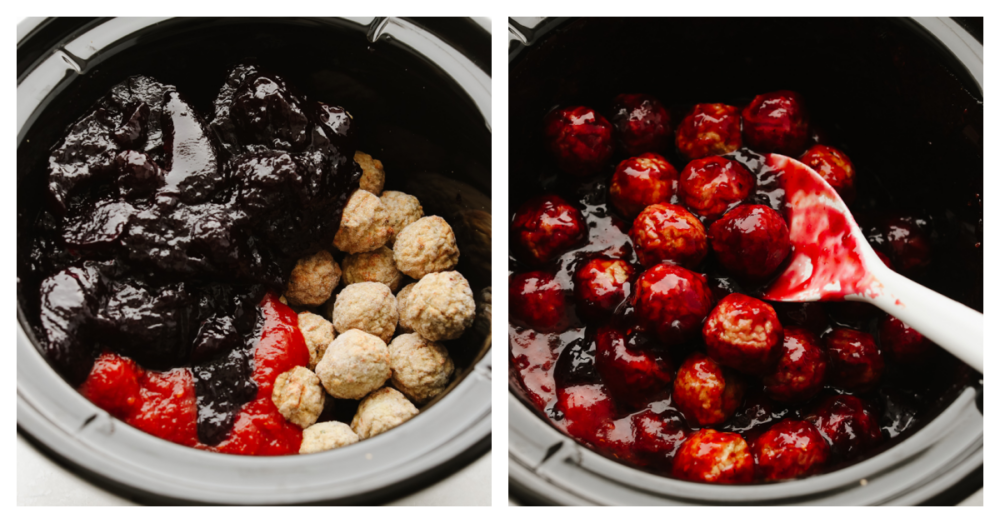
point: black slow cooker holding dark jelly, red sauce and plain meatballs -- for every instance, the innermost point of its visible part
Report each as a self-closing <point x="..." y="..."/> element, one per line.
<point x="422" y="89"/>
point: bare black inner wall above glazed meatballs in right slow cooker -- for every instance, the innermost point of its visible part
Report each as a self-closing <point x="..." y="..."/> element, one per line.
<point x="907" y="112"/>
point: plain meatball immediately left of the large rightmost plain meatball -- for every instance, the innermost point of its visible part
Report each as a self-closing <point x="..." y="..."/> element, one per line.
<point x="367" y="306"/>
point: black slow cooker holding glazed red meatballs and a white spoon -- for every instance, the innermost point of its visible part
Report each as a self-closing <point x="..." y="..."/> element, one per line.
<point x="906" y="93"/>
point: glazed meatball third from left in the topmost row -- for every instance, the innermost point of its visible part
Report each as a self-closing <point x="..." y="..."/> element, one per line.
<point x="709" y="130"/>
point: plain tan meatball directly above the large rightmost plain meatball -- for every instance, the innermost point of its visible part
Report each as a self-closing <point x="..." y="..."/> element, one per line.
<point x="425" y="246"/>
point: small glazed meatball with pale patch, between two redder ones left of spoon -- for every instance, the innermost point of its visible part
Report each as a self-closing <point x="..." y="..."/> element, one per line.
<point x="600" y="285"/>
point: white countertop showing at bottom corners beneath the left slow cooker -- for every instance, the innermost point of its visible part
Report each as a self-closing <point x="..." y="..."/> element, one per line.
<point x="40" y="481"/>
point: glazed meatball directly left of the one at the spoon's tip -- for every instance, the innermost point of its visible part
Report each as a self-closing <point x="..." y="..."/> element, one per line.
<point x="640" y="182"/>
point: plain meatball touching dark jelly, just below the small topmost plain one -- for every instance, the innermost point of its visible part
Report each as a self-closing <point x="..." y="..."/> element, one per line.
<point x="364" y="225"/>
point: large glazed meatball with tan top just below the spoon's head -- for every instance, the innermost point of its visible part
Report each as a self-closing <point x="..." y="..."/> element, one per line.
<point x="743" y="333"/>
